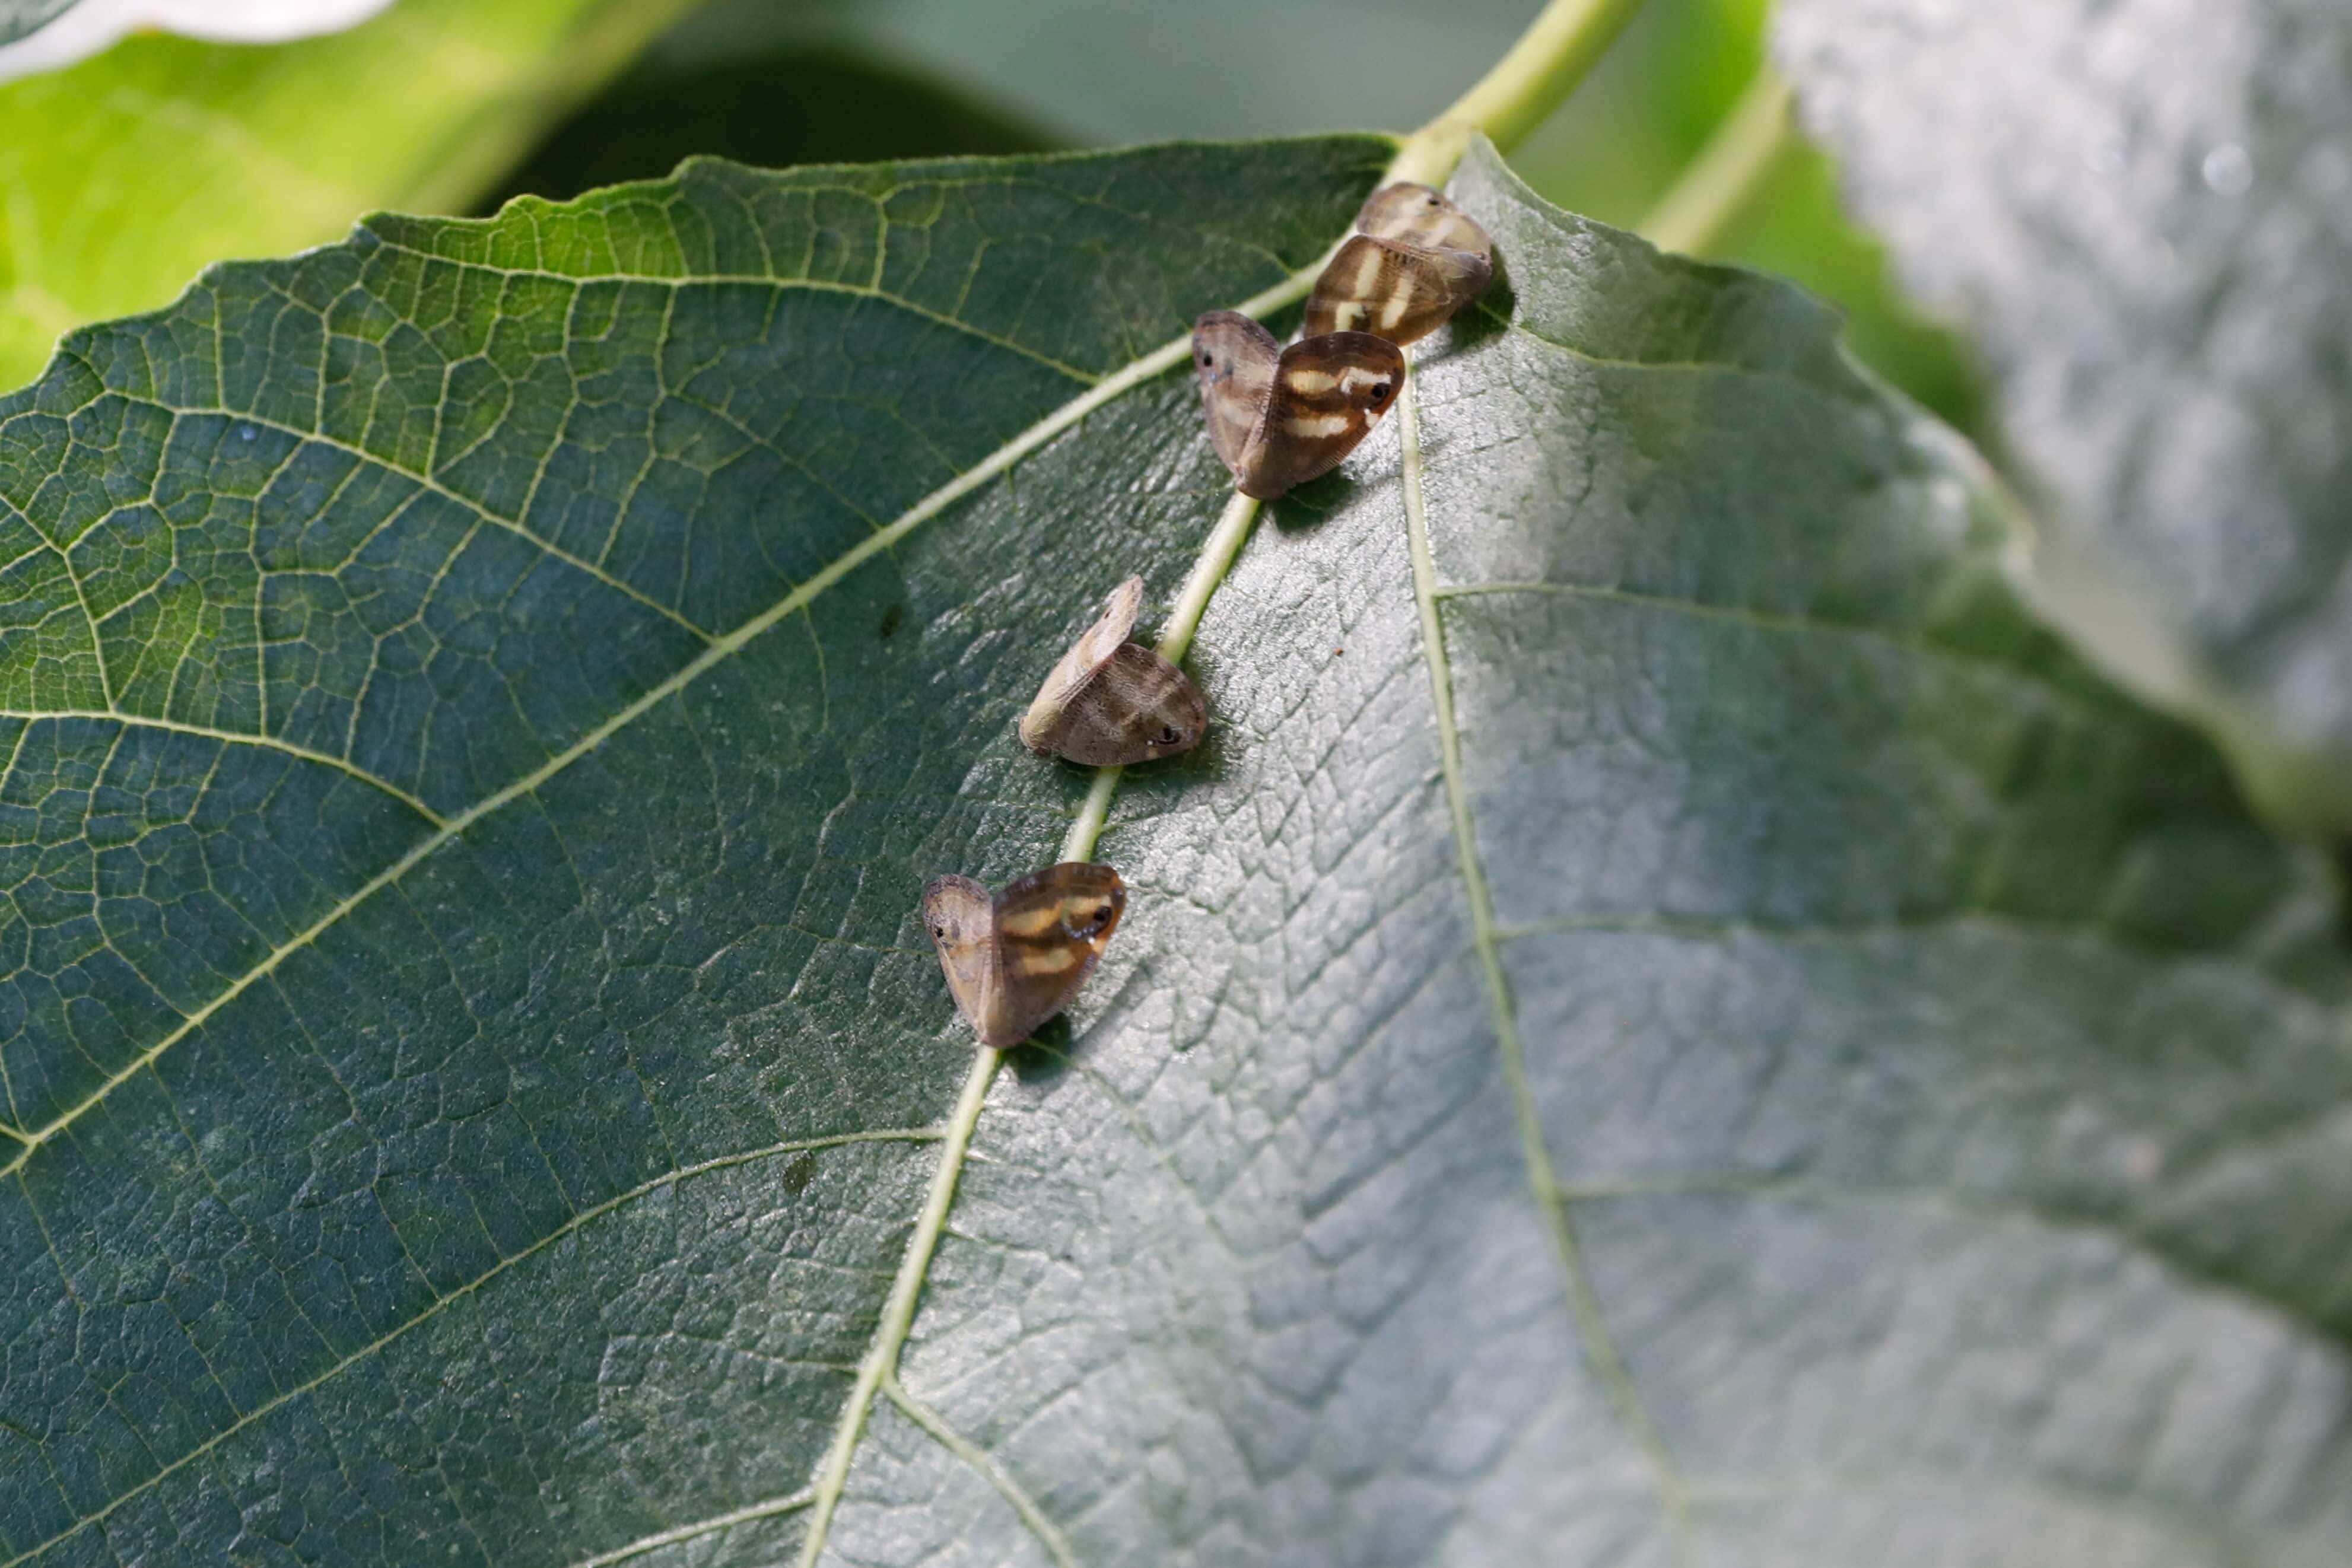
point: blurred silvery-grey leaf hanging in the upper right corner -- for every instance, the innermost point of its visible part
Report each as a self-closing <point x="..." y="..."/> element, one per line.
<point x="2137" y="213"/>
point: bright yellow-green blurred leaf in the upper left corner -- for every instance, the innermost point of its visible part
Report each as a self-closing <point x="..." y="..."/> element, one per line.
<point x="131" y="173"/>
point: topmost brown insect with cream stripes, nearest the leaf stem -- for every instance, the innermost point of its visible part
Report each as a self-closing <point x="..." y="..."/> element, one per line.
<point x="1412" y="264"/>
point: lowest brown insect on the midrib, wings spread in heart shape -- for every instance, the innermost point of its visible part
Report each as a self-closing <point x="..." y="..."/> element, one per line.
<point x="1017" y="960"/>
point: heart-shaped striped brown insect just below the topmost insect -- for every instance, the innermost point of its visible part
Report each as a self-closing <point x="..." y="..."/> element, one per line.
<point x="1281" y="417"/>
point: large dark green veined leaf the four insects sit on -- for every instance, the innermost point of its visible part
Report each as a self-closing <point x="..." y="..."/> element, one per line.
<point x="1669" y="1021"/>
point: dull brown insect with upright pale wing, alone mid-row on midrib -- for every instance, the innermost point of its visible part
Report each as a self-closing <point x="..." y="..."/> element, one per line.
<point x="1114" y="702"/>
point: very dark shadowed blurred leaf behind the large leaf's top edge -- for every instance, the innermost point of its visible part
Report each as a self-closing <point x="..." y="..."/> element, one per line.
<point x="784" y="107"/>
